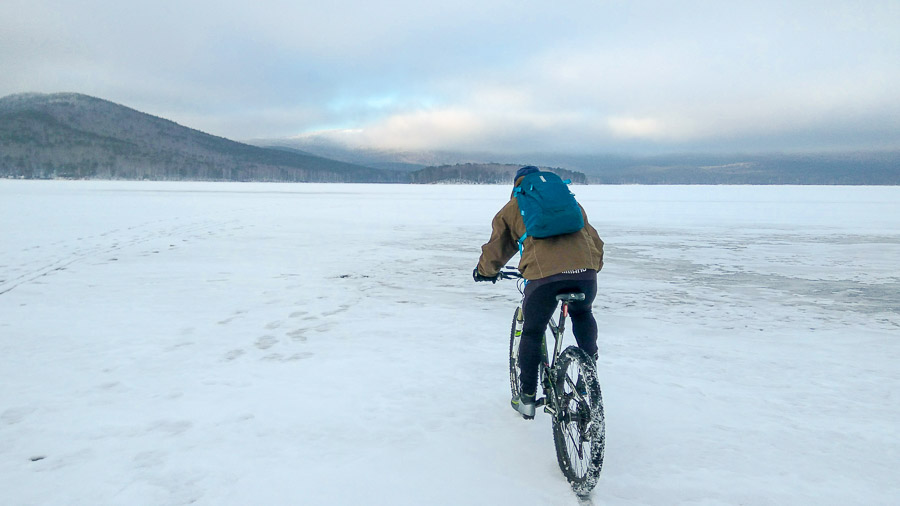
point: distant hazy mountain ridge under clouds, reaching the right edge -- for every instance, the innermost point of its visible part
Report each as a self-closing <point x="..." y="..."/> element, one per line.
<point x="850" y="168"/>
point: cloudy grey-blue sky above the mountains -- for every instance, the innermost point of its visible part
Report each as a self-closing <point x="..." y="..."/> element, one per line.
<point x="503" y="76"/>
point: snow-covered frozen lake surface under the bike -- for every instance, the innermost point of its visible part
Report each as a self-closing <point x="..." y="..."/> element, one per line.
<point x="237" y="344"/>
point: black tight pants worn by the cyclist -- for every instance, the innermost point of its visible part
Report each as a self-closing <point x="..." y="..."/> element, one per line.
<point x="540" y="303"/>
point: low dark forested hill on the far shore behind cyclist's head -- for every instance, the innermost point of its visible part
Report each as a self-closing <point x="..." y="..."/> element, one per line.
<point x="482" y="173"/>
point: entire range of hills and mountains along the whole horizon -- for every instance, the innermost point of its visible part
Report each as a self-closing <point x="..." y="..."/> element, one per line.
<point x="70" y="135"/>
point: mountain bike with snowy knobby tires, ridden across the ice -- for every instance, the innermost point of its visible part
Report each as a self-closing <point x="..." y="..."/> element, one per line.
<point x="571" y="395"/>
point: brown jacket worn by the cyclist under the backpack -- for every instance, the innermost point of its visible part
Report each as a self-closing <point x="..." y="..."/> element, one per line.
<point x="540" y="257"/>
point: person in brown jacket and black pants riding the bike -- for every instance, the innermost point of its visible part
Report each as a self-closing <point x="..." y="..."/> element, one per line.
<point x="551" y="266"/>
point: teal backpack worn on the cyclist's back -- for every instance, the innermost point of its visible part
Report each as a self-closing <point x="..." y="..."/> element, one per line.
<point x="548" y="207"/>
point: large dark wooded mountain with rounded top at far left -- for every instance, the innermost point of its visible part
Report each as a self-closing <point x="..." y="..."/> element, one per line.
<point x="77" y="136"/>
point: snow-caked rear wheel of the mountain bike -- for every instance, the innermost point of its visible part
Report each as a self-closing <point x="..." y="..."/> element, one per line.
<point x="579" y="428"/>
